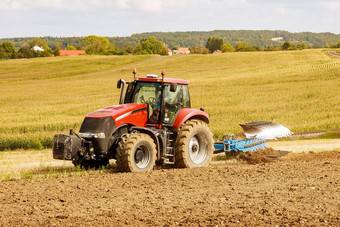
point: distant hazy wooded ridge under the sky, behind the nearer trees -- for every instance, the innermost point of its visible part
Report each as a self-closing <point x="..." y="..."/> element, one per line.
<point x="199" y="38"/>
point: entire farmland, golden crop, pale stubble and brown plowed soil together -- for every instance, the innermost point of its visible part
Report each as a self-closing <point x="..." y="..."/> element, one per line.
<point x="299" y="89"/>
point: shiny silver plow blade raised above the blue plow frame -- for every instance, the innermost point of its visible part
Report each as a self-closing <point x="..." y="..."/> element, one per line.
<point x="265" y="130"/>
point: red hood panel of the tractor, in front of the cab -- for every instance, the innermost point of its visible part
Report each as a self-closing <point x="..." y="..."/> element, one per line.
<point x="131" y="113"/>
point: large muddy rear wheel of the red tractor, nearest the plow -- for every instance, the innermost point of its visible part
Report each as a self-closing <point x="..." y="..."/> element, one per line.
<point x="194" y="145"/>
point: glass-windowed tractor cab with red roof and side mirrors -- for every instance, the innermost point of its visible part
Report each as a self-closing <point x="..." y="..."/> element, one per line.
<point x="164" y="97"/>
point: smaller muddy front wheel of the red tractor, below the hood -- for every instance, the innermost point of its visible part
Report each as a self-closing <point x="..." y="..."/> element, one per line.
<point x="136" y="153"/>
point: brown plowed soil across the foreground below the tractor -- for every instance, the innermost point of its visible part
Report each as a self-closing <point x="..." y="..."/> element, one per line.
<point x="297" y="189"/>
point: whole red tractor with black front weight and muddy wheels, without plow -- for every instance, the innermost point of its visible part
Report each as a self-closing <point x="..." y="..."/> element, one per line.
<point x="153" y="124"/>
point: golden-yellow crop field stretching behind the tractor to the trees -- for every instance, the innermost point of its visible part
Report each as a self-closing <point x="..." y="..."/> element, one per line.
<point x="42" y="97"/>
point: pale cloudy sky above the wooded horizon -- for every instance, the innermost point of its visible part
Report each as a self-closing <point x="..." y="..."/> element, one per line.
<point x="67" y="18"/>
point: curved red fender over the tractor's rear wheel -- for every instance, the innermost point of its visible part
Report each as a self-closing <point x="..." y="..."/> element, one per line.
<point x="186" y="114"/>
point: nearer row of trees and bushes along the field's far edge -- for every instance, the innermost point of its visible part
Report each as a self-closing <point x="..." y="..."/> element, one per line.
<point x="102" y="46"/>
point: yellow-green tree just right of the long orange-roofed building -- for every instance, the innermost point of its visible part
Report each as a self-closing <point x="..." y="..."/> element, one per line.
<point x="96" y="44"/>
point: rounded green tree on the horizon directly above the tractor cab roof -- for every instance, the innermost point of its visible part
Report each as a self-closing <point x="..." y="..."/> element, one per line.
<point x="151" y="46"/>
